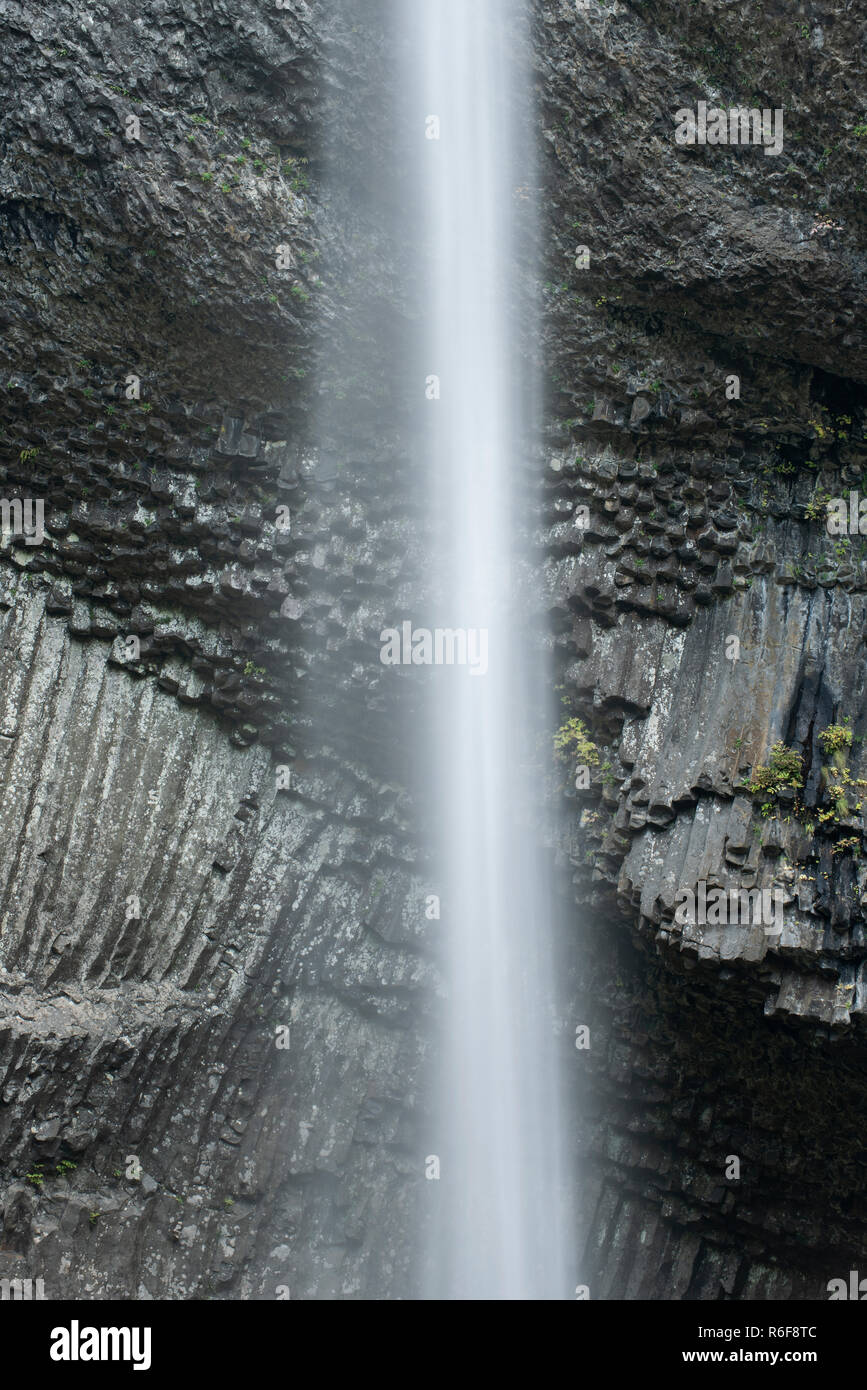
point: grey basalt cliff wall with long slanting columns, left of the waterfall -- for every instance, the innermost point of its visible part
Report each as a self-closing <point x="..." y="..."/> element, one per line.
<point x="210" y="964"/>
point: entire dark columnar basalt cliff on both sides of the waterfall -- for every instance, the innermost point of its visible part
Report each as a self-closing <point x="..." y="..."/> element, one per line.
<point x="210" y="580"/>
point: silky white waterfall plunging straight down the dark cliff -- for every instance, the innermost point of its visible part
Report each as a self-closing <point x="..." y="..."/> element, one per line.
<point x="502" y="1224"/>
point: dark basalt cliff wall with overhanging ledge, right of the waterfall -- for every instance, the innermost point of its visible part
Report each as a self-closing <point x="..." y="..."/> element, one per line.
<point x="709" y="377"/>
